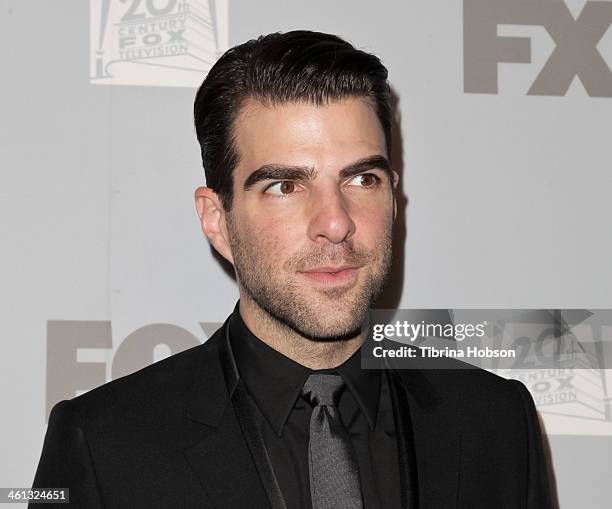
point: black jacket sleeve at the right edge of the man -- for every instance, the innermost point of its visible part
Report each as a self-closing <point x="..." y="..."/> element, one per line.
<point x="539" y="495"/>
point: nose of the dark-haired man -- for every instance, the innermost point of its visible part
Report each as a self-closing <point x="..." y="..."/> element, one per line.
<point x="330" y="217"/>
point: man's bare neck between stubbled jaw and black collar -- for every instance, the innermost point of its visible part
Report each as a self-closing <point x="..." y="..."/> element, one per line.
<point x="304" y="351"/>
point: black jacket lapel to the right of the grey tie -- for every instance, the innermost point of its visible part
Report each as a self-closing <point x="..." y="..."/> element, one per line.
<point x="435" y="444"/>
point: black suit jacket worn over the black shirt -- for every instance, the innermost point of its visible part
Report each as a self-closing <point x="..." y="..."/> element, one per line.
<point x="170" y="436"/>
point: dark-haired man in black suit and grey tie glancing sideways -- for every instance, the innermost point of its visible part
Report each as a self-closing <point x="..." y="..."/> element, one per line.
<point x="274" y="409"/>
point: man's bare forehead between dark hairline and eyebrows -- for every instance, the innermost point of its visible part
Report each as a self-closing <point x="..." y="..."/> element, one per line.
<point x="329" y="135"/>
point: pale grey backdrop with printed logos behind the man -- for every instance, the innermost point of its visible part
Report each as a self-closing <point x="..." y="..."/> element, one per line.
<point x="506" y="192"/>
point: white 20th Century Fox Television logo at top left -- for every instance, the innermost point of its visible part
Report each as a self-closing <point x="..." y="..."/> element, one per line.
<point x="155" y="42"/>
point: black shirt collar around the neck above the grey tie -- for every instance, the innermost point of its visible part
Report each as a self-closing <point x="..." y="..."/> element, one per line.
<point x="275" y="381"/>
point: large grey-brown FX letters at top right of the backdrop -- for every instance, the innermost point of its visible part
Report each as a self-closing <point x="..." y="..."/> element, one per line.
<point x="575" y="39"/>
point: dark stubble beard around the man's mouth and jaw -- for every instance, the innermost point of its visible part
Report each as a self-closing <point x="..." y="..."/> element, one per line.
<point x="327" y="315"/>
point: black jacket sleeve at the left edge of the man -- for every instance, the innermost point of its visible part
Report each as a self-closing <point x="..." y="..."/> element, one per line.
<point x="66" y="462"/>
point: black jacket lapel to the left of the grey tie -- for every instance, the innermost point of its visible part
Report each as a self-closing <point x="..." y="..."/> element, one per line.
<point x="221" y="458"/>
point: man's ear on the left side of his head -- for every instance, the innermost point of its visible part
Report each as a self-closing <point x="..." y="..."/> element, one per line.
<point x="212" y="219"/>
